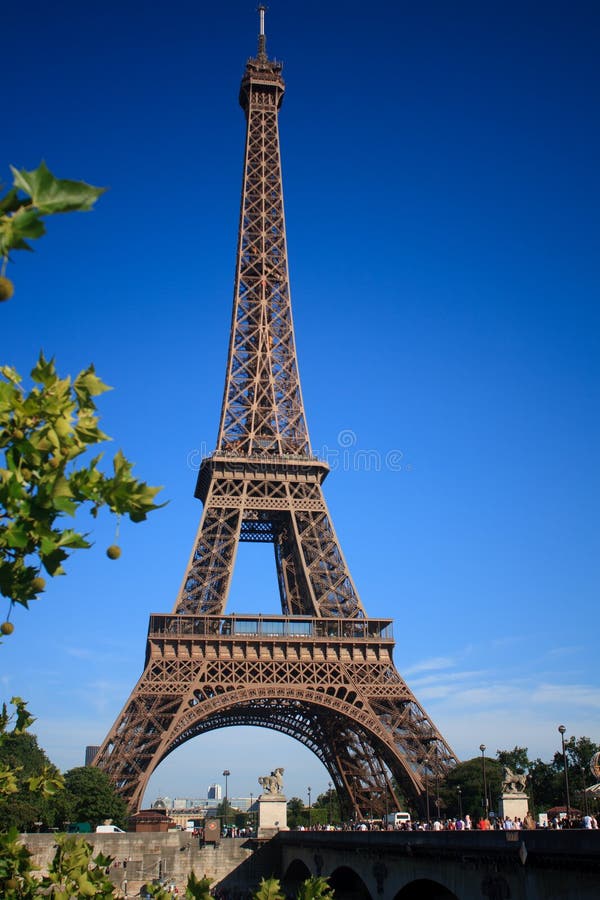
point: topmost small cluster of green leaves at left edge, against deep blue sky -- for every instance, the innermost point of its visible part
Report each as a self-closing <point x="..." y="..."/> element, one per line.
<point x="21" y="217"/>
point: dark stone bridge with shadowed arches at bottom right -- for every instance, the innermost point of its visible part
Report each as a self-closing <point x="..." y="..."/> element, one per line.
<point x="497" y="865"/>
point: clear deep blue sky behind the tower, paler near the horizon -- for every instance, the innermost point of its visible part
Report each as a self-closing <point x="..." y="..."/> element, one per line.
<point x="442" y="197"/>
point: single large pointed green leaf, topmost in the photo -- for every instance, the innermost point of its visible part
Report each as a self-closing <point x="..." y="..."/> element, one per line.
<point x="55" y="195"/>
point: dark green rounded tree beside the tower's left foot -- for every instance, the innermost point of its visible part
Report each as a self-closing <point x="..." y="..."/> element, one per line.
<point x="92" y="797"/>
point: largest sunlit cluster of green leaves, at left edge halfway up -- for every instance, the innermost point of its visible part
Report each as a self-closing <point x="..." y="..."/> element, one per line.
<point x="43" y="432"/>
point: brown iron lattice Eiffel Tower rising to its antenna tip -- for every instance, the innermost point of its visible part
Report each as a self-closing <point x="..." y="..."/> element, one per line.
<point x="322" y="672"/>
